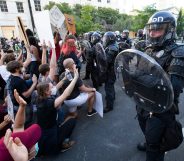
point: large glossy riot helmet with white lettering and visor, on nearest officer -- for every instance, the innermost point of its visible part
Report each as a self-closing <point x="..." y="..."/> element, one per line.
<point x="161" y="29"/>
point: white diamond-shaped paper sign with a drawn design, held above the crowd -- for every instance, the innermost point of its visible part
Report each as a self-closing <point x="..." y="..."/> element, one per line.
<point x="56" y="16"/>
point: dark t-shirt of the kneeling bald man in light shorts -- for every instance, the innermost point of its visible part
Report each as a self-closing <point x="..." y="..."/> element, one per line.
<point x="75" y="91"/>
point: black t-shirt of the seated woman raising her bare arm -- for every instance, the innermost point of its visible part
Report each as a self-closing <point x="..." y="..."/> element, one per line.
<point x="46" y="113"/>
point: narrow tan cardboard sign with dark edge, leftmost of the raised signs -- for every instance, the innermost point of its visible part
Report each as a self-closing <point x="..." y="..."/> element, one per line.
<point x="22" y="32"/>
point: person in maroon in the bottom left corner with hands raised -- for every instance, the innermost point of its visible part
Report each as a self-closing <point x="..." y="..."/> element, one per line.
<point x="28" y="137"/>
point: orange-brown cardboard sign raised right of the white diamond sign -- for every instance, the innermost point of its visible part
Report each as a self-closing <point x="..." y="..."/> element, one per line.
<point x="70" y="23"/>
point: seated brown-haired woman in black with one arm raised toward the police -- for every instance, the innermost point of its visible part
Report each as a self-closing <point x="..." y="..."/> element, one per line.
<point x="53" y="135"/>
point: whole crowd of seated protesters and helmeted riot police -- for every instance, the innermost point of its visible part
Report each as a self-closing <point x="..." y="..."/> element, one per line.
<point x="36" y="81"/>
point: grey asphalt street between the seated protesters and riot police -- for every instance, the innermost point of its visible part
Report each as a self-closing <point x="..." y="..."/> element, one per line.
<point x="114" y="137"/>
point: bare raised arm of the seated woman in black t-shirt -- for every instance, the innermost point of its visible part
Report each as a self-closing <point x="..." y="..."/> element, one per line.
<point x="67" y="91"/>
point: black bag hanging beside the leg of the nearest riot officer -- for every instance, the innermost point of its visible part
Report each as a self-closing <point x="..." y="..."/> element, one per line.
<point x="173" y="137"/>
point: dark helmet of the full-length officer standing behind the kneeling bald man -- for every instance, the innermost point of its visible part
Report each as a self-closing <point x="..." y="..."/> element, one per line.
<point x="109" y="38"/>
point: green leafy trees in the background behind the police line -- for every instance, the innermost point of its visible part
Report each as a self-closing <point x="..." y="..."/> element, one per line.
<point x="89" y="18"/>
